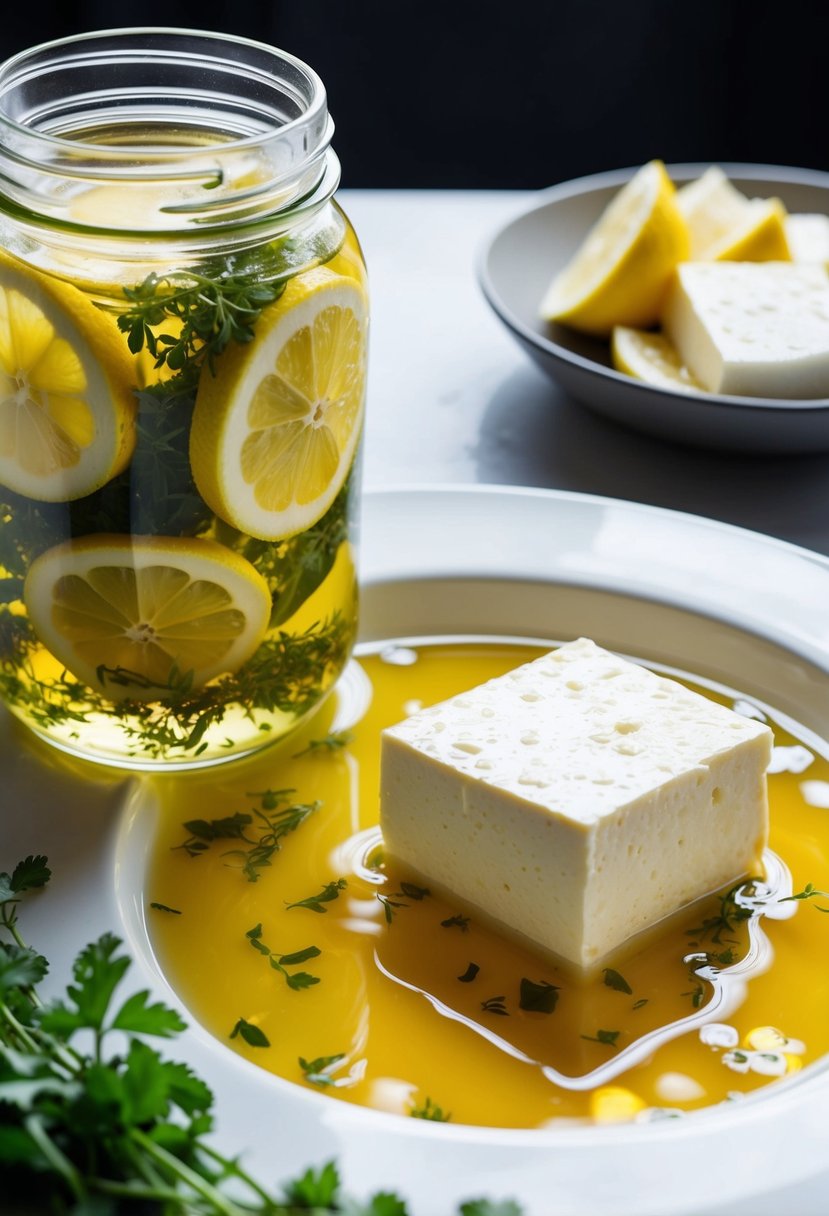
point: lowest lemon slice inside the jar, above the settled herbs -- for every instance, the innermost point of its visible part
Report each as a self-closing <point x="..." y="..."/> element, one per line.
<point x="127" y="615"/>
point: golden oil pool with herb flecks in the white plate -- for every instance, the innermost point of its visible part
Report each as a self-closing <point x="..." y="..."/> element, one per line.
<point x="422" y="1007"/>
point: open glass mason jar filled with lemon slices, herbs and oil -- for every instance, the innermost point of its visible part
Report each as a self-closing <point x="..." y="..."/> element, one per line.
<point x="183" y="365"/>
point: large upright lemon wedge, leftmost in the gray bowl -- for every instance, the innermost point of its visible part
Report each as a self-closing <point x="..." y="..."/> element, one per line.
<point x="622" y="272"/>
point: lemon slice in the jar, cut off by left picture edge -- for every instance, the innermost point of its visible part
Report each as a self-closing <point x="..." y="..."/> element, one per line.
<point x="67" y="410"/>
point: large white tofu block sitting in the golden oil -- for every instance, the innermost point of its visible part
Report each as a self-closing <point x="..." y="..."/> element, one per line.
<point x="577" y="801"/>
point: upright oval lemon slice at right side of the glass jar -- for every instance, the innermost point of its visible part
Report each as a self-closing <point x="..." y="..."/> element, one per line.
<point x="275" y="430"/>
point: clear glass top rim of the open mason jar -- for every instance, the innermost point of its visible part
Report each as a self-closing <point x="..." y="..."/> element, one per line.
<point x="20" y="65"/>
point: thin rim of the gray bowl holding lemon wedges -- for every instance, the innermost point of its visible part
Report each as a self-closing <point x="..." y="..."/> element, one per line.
<point x="617" y="178"/>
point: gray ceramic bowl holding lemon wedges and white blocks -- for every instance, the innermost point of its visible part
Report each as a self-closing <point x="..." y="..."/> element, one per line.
<point x="521" y="260"/>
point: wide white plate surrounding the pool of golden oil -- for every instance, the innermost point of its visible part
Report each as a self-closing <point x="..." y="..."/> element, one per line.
<point x="740" y="609"/>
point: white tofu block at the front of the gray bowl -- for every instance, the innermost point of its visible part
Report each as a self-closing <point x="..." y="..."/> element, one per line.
<point x="753" y="329"/>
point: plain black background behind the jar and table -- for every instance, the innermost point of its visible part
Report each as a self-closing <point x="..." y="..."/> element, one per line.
<point x="523" y="94"/>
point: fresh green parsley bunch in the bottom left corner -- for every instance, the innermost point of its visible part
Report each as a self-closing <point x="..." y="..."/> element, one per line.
<point x="94" y="1122"/>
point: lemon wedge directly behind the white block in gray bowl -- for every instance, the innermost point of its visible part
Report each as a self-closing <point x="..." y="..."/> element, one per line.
<point x="726" y="227"/>
